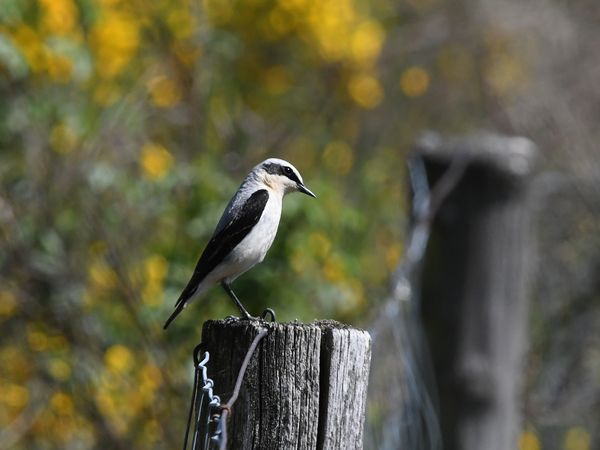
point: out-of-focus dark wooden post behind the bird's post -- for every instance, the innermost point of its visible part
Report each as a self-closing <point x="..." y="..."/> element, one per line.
<point x="474" y="291"/>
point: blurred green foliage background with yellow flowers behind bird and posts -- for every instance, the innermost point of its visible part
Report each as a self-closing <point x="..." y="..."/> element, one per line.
<point x="126" y="126"/>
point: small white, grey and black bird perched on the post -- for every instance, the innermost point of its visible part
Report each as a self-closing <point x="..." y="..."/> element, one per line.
<point x="244" y="233"/>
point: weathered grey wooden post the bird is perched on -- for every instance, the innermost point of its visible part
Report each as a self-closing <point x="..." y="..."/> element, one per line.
<point x="305" y="387"/>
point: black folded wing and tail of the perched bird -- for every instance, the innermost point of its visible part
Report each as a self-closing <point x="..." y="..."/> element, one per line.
<point x="222" y="243"/>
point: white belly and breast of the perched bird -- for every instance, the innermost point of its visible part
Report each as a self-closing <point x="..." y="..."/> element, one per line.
<point x="253" y="248"/>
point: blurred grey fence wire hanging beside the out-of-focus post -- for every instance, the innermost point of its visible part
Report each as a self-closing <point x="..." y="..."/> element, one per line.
<point x="399" y="342"/>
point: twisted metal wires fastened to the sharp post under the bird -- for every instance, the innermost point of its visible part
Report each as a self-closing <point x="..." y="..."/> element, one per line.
<point x="209" y="414"/>
